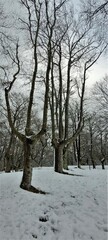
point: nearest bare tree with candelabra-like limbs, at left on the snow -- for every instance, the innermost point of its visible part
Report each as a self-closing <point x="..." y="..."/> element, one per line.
<point x="39" y="26"/>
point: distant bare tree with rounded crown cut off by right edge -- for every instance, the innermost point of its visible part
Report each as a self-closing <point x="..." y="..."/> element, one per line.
<point x="100" y="96"/>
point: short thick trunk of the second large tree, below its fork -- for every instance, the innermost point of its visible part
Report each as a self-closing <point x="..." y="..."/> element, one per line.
<point x="59" y="158"/>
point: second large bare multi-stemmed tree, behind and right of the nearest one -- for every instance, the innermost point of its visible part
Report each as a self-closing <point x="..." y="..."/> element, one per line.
<point x="75" y="52"/>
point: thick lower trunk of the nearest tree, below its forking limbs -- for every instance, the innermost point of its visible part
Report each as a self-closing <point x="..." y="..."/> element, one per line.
<point x="27" y="169"/>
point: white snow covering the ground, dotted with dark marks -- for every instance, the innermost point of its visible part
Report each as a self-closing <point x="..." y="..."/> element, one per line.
<point x="75" y="207"/>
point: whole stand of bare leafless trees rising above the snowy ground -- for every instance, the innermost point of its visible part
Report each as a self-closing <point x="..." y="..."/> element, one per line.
<point x="48" y="114"/>
